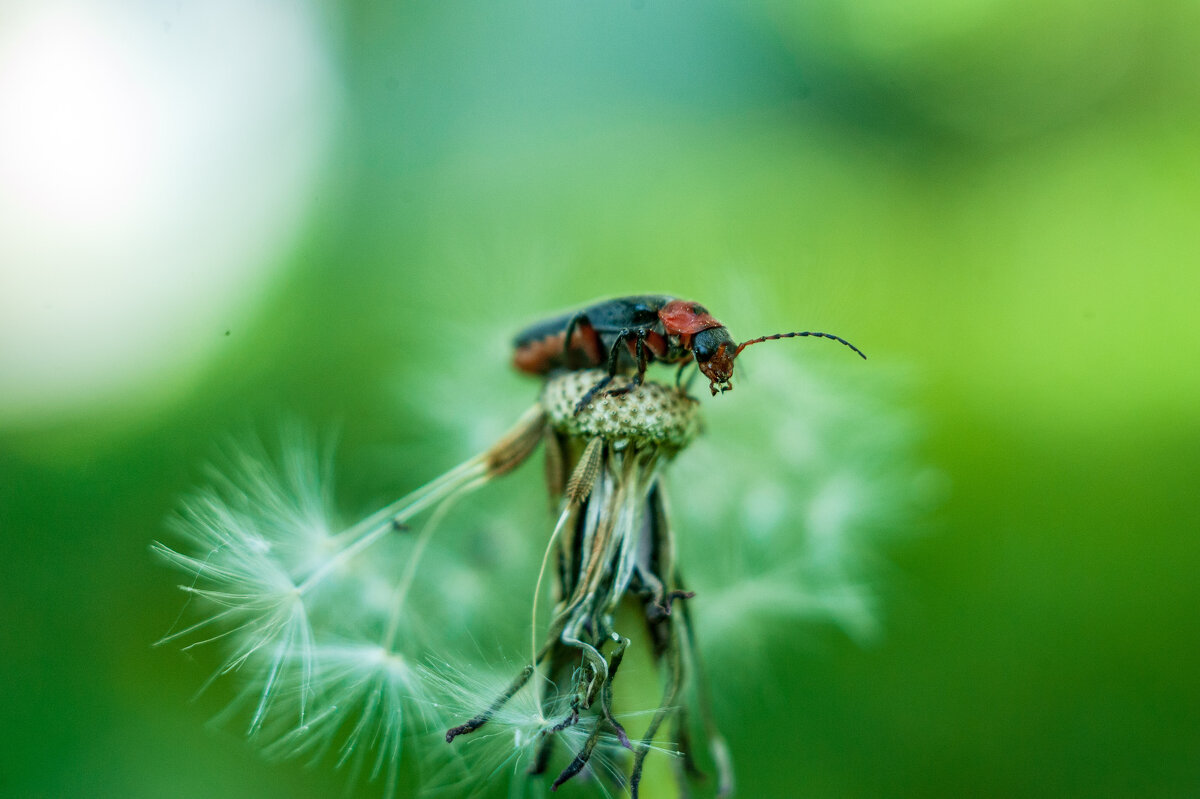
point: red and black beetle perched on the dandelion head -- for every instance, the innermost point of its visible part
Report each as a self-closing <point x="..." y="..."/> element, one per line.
<point x="634" y="332"/>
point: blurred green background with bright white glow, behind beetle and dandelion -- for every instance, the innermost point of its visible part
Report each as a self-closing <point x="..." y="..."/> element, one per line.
<point x="341" y="213"/>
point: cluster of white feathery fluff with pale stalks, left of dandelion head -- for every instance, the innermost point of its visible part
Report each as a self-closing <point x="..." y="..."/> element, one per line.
<point x="317" y="634"/>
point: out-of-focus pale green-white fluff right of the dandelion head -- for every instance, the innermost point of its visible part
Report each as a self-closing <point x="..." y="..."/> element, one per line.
<point x="803" y="472"/>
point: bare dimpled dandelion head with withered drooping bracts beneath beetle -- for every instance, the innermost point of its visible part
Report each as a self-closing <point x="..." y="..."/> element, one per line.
<point x="613" y="543"/>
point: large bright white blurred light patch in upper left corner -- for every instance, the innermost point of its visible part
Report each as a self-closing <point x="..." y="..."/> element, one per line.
<point x="157" y="164"/>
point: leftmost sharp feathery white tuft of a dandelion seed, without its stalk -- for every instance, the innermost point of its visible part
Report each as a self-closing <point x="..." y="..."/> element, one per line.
<point x="255" y="534"/>
